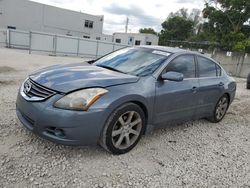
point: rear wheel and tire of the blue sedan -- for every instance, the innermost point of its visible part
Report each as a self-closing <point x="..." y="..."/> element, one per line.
<point x="220" y="109"/>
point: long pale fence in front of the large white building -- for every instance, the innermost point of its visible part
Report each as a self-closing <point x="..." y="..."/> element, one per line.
<point x="53" y="44"/>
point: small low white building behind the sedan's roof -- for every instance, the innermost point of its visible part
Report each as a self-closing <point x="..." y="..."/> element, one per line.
<point x="135" y="38"/>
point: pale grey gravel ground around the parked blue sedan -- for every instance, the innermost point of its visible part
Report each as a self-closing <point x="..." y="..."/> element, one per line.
<point x="194" y="154"/>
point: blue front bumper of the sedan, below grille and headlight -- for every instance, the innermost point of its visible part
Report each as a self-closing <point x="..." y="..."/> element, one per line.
<point x="61" y="126"/>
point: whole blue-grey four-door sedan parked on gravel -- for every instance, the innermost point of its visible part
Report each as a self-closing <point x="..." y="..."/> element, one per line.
<point x="122" y="96"/>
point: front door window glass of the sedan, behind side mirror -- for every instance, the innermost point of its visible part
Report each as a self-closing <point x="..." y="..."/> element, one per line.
<point x="184" y="64"/>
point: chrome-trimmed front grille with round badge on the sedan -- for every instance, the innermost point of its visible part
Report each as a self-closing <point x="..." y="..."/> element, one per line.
<point x="35" y="92"/>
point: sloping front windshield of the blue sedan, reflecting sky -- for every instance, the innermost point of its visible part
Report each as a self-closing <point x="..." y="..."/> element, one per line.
<point x="134" y="61"/>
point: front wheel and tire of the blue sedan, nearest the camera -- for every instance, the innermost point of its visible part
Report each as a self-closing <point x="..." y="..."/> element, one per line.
<point x="123" y="129"/>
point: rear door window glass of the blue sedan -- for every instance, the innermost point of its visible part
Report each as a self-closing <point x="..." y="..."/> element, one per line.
<point x="207" y="68"/>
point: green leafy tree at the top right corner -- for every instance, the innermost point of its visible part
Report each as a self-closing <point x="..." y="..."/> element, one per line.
<point x="226" y="20"/>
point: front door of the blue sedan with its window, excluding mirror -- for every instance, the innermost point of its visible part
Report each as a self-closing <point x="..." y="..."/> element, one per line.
<point x="176" y="101"/>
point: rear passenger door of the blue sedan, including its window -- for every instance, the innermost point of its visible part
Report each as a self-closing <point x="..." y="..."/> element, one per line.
<point x="211" y="85"/>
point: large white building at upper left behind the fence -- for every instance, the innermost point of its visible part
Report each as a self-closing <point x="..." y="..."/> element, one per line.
<point x="31" y="16"/>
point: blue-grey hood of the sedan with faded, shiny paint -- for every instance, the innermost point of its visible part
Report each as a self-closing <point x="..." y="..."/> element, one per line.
<point x="66" y="78"/>
